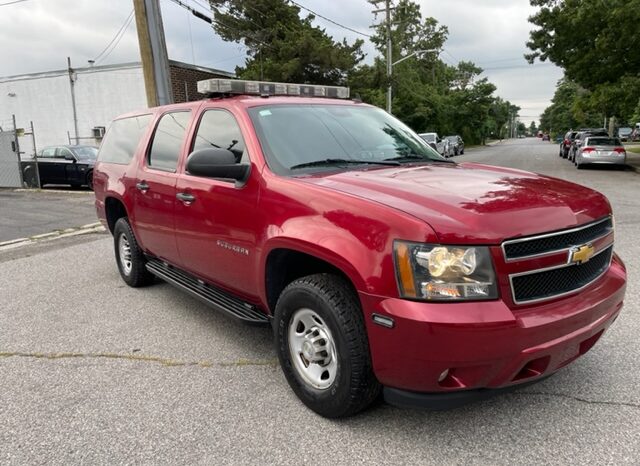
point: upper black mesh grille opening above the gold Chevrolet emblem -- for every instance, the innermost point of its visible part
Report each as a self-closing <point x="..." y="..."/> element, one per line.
<point x="543" y="244"/>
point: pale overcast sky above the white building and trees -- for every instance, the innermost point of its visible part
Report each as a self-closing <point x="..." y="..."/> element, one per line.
<point x="38" y="35"/>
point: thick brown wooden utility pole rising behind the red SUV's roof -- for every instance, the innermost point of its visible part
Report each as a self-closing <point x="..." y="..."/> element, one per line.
<point x="153" y="52"/>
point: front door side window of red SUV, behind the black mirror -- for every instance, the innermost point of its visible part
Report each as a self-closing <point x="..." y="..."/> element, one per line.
<point x="219" y="129"/>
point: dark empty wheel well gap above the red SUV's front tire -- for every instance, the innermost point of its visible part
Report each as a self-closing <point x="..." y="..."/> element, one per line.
<point x="286" y="265"/>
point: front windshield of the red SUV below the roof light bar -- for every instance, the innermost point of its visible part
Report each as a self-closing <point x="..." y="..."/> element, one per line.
<point x="315" y="137"/>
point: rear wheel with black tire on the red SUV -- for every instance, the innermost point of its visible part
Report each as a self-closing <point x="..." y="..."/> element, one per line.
<point x="129" y="257"/>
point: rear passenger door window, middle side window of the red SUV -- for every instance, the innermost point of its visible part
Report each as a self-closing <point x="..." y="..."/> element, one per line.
<point x="167" y="141"/>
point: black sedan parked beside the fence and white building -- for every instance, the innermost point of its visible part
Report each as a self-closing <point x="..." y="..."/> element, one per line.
<point x="71" y="165"/>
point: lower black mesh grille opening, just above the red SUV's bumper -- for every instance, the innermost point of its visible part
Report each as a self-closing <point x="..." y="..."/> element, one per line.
<point x="545" y="284"/>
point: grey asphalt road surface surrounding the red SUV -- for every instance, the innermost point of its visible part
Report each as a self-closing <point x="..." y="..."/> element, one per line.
<point x="92" y="371"/>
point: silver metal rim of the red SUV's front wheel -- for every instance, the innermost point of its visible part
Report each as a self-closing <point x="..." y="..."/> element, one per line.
<point x="312" y="349"/>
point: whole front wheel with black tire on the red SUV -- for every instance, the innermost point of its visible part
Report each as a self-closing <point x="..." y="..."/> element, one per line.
<point x="322" y="346"/>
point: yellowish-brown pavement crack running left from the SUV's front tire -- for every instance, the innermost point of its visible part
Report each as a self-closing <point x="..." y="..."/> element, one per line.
<point x="167" y="362"/>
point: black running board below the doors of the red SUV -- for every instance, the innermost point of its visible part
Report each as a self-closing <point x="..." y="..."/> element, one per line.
<point x="213" y="296"/>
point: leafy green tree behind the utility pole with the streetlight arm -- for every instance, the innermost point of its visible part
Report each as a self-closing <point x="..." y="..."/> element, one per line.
<point x="428" y="94"/>
